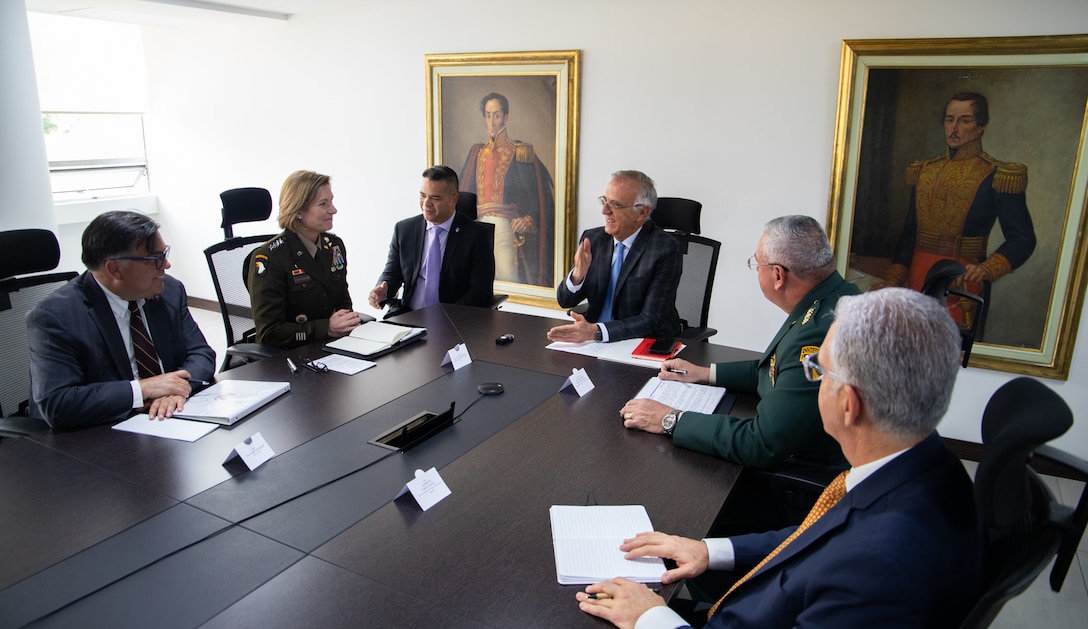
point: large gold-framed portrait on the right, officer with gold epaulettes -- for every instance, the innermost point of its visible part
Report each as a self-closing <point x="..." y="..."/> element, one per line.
<point x="975" y="151"/>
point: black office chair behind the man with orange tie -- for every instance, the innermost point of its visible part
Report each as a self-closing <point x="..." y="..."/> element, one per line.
<point x="1027" y="526"/>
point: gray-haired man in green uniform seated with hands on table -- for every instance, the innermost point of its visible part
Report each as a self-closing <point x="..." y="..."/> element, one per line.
<point x="797" y="273"/>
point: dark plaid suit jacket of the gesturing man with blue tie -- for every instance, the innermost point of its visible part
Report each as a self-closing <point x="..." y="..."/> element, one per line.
<point x="647" y="292"/>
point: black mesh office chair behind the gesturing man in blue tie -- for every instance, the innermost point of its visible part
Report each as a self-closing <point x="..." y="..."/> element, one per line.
<point x="682" y="219"/>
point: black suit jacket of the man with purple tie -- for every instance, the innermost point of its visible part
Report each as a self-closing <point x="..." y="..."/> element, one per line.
<point x="468" y="264"/>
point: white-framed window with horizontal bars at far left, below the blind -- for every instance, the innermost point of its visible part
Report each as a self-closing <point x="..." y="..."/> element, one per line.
<point x="95" y="155"/>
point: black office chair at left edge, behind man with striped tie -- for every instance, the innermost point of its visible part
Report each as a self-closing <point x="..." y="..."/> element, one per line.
<point x="23" y="252"/>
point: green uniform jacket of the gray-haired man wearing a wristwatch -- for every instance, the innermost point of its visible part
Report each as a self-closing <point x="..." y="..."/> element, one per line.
<point x="788" y="426"/>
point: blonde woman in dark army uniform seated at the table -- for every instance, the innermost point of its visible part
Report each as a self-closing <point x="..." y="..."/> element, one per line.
<point x="299" y="280"/>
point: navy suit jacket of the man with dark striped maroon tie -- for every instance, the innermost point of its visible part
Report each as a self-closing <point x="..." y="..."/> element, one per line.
<point x="80" y="369"/>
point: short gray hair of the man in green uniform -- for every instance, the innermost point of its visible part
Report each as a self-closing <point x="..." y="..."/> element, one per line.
<point x="799" y="244"/>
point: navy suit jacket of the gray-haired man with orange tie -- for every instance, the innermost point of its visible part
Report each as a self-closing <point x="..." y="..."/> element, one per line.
<point x="904" y="549"/>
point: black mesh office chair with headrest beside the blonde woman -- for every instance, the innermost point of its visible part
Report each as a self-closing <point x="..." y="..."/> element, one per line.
<point x="229" y="264"/>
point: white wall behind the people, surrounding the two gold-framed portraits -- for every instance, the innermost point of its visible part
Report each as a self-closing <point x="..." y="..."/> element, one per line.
<point x="724" y="102"/>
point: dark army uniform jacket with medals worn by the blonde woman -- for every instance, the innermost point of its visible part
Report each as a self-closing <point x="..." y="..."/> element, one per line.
<point x="294" y="294"/>
